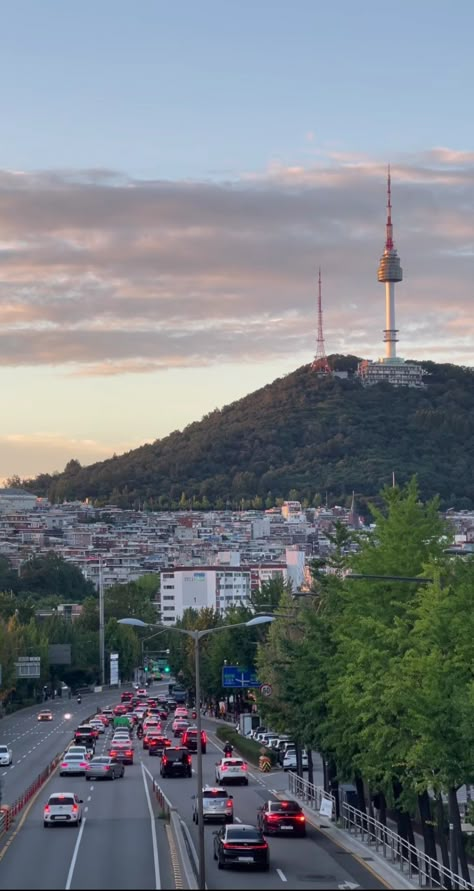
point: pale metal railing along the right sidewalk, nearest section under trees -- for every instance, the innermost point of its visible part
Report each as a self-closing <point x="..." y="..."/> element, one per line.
<point x="411" y="861"/>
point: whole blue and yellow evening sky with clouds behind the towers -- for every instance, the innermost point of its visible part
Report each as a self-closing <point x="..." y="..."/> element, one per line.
<point x="172" y="176"/>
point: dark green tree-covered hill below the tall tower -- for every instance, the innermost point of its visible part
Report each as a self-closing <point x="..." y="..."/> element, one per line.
<point x="301" y="437"/>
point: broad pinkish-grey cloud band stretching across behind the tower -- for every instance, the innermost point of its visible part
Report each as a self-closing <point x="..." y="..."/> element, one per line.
<point x="106" y="275"/>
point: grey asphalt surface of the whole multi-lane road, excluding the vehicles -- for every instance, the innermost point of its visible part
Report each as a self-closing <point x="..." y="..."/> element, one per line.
<point x="121" y="843"/>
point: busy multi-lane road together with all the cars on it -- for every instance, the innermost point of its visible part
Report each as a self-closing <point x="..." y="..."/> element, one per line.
<point x="98" y="810"/>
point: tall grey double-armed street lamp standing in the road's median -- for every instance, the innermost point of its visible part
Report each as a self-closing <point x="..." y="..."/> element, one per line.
<point x="196" y="636"/>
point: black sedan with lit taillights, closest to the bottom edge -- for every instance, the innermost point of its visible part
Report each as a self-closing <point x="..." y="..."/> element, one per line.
<point x="241" y="844"/>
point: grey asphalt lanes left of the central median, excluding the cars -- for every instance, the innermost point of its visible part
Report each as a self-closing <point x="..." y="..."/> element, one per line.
<point x="120" y="844"/>
